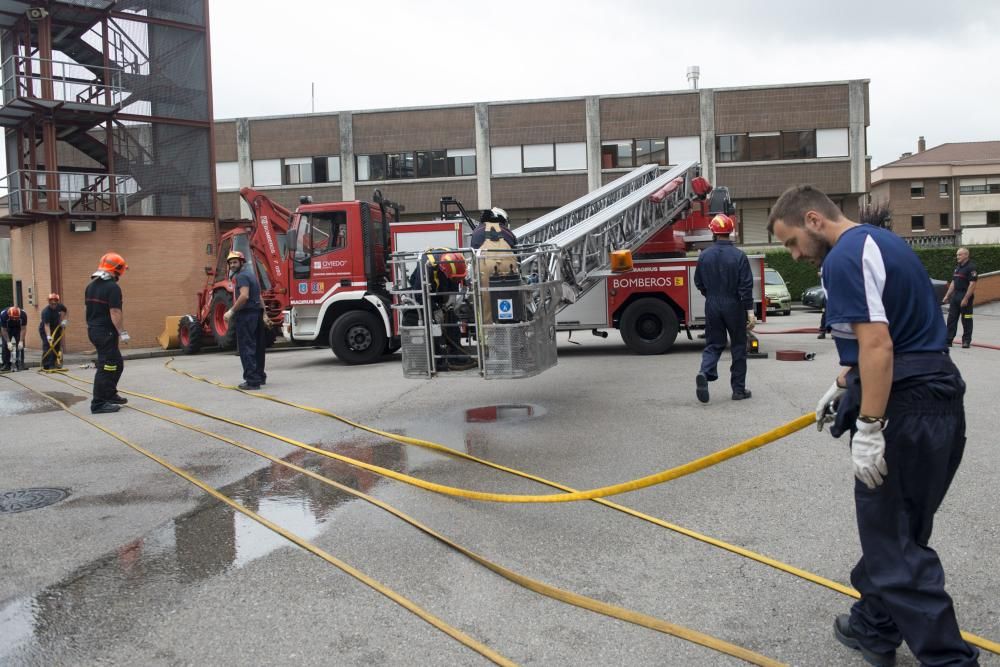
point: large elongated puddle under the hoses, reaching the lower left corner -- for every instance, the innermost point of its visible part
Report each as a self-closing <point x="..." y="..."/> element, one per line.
<point x="96" y="603"/>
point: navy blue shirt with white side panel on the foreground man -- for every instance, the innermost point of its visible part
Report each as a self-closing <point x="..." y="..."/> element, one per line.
<point x="871" y="275"/>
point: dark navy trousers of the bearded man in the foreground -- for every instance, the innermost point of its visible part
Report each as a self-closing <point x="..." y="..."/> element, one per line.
<point x="899" y="576"/>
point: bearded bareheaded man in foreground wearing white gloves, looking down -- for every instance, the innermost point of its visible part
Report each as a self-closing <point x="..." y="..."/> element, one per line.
<point x="902" y="399"/>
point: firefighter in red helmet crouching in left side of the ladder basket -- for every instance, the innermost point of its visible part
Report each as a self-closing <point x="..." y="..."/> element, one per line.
<point x="445" y="270"/>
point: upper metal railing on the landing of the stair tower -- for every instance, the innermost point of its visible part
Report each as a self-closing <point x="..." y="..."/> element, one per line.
<point x="69" y="81"/>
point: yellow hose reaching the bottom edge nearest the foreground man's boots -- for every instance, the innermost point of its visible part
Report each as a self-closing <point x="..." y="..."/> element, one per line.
<point x="582" y="601"/>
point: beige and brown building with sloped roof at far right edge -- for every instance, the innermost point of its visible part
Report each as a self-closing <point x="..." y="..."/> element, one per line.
<point x="945" y="195"/>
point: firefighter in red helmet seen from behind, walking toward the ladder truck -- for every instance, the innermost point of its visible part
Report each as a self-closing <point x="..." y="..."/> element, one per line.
<point x="724" y="277"/>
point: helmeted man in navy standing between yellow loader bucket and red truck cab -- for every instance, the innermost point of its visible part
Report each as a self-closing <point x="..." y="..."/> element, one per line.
<point x="247" y="314"/>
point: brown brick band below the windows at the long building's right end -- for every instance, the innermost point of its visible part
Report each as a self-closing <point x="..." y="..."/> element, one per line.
<point x="770" y="180"/>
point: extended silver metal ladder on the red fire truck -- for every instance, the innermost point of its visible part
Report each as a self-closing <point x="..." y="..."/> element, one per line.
<point x="619" y="216"/>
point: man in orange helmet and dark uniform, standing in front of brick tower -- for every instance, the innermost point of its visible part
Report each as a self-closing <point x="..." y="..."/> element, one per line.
<point x="105" y="328"/>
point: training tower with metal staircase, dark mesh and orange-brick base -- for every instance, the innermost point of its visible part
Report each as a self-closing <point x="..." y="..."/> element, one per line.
<point x="107" y="112"/>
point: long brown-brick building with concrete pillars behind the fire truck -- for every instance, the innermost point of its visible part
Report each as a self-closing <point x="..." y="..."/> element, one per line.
<point x="532" y="156"/>
